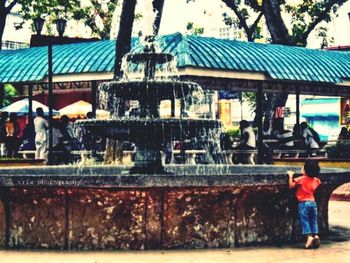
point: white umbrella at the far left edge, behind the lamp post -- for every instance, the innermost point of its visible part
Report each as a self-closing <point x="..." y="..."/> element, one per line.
<point x="21" y="107"/>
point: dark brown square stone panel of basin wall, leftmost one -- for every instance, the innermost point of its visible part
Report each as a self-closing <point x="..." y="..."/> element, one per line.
<point x="37" y="218"/>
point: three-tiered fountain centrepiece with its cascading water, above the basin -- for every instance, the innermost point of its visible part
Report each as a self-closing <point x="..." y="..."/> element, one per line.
<point x="147" y="82"/>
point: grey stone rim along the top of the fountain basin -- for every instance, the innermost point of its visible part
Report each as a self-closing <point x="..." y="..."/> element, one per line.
<point x="110" y="177"/>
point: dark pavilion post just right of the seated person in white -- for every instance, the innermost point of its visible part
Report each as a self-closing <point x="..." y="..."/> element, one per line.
<point x="259" y="113"/>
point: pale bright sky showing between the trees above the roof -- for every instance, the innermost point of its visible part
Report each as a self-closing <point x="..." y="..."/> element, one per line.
<point x="203" y="13"/>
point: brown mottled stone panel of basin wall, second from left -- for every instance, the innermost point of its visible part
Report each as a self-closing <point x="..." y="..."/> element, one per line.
<point x="101" y="219"/>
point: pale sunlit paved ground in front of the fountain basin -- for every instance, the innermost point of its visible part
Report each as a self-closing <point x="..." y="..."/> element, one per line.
<point x="335" y="249"/>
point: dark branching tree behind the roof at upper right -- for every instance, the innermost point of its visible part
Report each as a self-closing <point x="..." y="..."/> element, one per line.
<point x="306" y="16"/>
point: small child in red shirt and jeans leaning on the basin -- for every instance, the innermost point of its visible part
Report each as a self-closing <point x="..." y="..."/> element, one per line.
<point x="305" y="188"/>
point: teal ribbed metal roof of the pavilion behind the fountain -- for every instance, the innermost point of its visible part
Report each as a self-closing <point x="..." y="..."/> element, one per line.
<point x="277" y="61"/>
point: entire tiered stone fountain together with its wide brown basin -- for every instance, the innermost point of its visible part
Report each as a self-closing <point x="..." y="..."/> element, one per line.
<point x="151" y="206"/>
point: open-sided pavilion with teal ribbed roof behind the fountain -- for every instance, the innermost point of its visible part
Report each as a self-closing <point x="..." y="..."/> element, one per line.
<point x="215" y="64"/>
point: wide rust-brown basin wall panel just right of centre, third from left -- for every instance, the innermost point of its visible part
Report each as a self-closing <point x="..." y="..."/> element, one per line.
<point x="199" y="218"/>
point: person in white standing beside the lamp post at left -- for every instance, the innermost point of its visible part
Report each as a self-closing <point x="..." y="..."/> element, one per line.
<point x="41" y="126"/>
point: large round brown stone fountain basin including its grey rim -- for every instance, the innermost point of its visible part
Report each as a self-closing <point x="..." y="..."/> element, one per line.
<point x="188" y="207"/>
